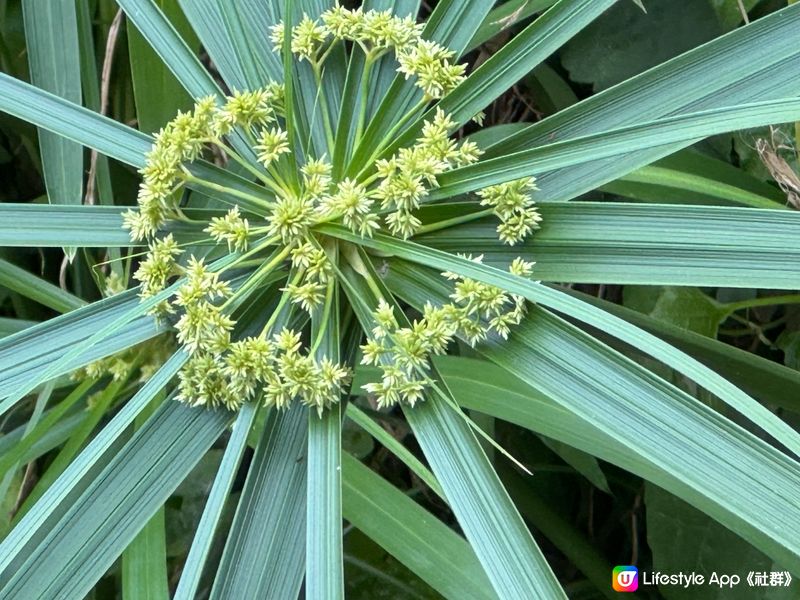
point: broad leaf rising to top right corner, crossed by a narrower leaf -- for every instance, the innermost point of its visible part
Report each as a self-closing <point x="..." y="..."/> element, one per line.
<point x="758" y="61"/>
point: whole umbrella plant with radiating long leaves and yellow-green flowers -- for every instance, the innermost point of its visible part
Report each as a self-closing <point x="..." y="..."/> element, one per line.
<point x="331" y="220"/>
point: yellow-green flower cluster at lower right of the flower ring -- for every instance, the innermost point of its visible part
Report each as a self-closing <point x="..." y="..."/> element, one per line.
<point x="403" y="353"/>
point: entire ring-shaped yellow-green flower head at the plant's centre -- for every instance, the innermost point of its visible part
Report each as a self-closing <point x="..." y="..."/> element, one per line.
<point x="299" y="194"/>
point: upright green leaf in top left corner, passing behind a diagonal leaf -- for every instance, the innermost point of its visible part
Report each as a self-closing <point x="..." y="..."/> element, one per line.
<point x="51" y="31"/>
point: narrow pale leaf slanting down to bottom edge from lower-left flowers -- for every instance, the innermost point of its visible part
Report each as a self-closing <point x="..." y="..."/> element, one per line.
<point x="217" y="498"/>
